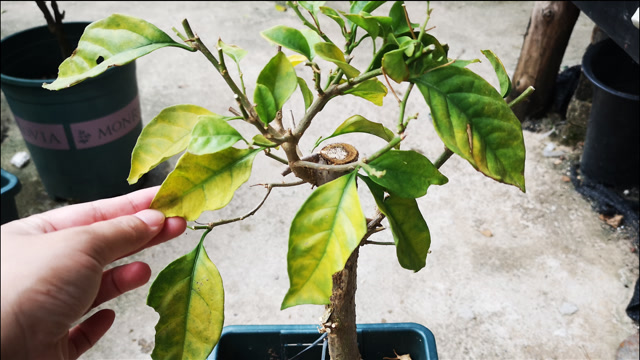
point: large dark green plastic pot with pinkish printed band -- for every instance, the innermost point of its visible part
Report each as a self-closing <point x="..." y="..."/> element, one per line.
<point x="80" y="138"/>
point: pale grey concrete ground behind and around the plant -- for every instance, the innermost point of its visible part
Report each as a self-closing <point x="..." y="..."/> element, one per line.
<point x="511" y="275"/>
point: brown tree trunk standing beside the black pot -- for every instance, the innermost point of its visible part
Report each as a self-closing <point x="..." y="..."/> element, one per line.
<point x="545" y="42"/>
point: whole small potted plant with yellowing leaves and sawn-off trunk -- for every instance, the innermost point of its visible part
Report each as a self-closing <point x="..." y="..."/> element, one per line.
<point x="470" y="116"/>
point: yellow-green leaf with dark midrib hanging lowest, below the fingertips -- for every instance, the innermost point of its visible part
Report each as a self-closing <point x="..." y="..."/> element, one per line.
<point x="189" y="298"/>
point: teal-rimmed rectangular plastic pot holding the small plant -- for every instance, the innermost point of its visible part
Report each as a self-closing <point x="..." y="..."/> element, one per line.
<point x="282" y="342"/>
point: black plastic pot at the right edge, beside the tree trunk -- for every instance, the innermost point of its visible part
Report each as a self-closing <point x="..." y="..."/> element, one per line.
<point x="611" y="151"/>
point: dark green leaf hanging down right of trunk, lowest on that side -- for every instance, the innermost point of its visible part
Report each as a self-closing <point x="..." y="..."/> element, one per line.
<point x="410" y="231"/>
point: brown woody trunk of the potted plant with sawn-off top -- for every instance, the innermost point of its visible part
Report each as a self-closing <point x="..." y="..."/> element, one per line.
<point x="341" y="323"/>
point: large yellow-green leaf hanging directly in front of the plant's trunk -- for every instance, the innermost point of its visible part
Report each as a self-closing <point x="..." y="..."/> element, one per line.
<point x="324" y="233"/>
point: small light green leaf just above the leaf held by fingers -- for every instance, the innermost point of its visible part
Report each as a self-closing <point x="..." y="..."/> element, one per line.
<point x="212" y="134"/>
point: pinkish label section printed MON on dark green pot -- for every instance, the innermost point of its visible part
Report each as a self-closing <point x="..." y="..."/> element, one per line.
<point x="107" y="129"/>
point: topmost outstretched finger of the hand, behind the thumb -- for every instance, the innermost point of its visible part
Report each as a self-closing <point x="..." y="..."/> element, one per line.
<point x="91" y="212"/>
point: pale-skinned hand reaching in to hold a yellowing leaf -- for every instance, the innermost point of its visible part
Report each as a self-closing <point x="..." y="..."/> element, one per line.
<point x="53" y="272"/>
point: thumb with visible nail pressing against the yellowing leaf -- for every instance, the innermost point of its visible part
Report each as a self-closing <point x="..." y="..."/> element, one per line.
<point x="109" y="240"/>
